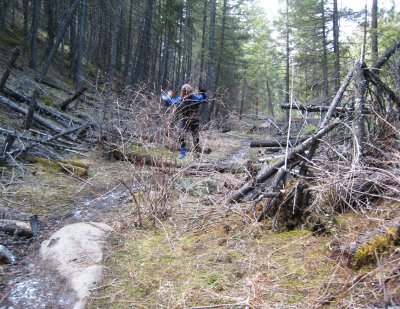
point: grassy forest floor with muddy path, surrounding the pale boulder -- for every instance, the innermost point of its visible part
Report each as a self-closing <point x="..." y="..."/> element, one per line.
<point x="197" y="251"/>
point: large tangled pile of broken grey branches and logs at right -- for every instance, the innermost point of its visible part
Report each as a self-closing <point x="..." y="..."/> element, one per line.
<point x="352" y="129"/>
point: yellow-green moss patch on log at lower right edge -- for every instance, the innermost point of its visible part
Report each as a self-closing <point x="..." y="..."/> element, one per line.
<point x="379" y="243"/>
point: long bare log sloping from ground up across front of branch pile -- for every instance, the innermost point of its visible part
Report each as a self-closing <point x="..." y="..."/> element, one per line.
<point x="272" y="169"/>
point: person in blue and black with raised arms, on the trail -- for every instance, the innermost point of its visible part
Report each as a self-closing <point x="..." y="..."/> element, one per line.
<point x="188" y="109"/>
